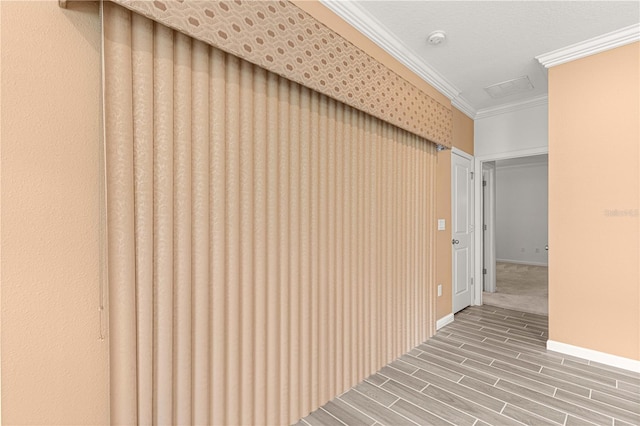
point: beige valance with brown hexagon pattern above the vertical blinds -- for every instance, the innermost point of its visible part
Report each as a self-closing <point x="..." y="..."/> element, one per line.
<point x="282" y="38"/>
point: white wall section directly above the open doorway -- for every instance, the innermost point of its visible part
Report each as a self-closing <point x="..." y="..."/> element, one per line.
<point x="512" y="134"/>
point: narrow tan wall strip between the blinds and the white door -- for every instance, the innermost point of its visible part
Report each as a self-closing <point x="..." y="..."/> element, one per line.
<point x="462" y="139"/>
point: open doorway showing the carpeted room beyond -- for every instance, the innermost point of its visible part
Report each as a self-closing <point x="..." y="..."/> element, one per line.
<point x="513" y="216"/>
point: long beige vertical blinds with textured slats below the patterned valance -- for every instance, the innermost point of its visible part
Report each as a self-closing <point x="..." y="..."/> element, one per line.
<point x="269" y="247"/>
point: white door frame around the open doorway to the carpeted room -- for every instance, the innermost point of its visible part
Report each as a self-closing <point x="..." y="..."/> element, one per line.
<point x="478" y="207"/>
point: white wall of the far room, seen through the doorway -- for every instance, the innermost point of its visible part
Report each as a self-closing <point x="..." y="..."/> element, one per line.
<point x="522" y="213"/>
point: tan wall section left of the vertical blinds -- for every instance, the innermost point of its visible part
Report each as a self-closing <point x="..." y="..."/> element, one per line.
<point x="54" y="366"/>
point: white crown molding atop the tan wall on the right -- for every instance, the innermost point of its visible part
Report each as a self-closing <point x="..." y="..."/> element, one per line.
<point x="592" y="46"/>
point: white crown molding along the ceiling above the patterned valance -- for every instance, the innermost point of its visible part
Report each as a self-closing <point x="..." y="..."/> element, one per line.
<point x="370" y="27"/>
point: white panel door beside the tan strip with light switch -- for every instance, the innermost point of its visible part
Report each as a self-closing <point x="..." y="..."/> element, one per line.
<point x="462" y="229"/>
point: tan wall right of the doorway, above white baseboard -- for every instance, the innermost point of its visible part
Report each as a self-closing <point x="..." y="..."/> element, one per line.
<point x="594" y="129"/>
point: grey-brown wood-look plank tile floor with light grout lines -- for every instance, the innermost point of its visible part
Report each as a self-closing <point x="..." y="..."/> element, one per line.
<point x="489" y="367"/>
